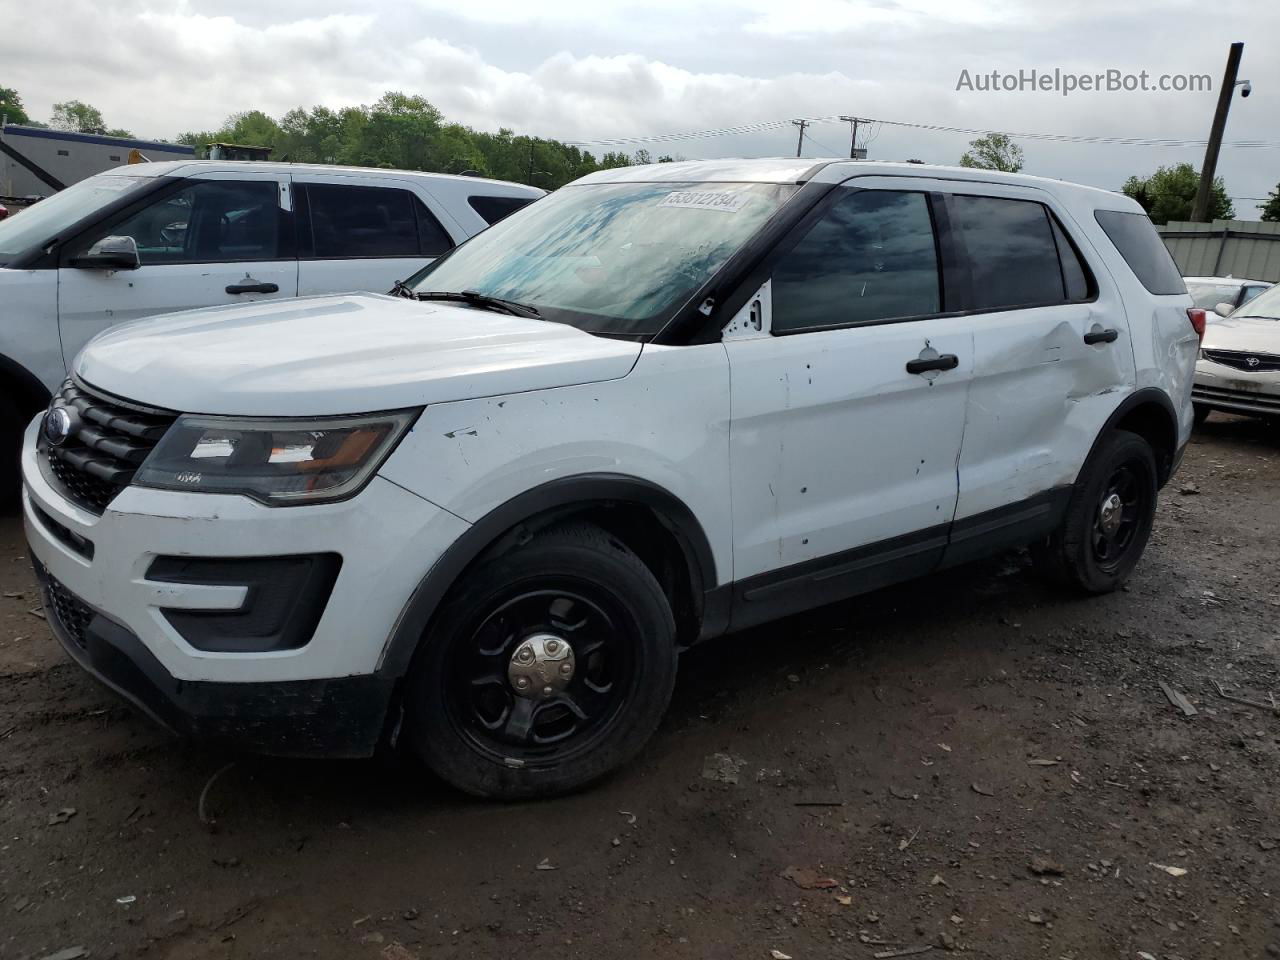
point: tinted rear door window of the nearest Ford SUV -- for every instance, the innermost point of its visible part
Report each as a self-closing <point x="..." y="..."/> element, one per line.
<point x="1012" y="249"/>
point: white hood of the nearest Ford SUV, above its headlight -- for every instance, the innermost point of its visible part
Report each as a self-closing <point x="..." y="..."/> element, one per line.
<point x="335" y="355"/>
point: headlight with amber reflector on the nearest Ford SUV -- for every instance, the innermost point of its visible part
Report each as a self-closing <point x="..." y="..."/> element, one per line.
<point x="277" y="463"/>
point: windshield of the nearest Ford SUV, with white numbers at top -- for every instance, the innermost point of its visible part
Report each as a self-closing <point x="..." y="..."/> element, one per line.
<point x="615" y="258"/>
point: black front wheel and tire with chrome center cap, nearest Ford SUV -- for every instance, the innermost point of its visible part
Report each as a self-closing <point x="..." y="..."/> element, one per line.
<point x="467" y="719"/>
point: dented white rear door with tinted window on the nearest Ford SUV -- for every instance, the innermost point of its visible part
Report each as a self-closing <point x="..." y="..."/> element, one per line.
<point x="1053" y="359"/>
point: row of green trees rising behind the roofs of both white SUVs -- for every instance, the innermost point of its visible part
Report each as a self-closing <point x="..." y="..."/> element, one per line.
<point x="409" y="134"/>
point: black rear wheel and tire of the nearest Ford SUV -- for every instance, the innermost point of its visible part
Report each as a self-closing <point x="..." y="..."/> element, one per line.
<point x="1082" y="554"/>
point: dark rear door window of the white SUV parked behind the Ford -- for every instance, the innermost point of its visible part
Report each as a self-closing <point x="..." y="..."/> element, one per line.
<point x="350" y="222"/>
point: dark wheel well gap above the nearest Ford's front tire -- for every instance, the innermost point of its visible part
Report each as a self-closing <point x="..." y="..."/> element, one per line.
<point x="643" y="531"/>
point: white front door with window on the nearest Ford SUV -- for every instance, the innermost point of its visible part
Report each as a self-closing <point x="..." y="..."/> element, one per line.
<point x="848" y="408"/>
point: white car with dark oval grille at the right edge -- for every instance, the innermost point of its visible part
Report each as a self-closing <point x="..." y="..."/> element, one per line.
<point x="1240" y="364"/>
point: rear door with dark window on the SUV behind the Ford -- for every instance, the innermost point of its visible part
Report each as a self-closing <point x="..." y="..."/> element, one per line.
<point x="365" y="234"/>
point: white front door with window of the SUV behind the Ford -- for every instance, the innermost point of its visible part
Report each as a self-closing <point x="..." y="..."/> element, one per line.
<point x="214" y="239"/>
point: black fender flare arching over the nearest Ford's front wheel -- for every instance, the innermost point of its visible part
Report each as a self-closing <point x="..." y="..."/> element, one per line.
<point x="524" y="515"/>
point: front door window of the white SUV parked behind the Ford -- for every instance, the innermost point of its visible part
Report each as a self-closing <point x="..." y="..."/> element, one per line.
<point x="209" y="222"/>
